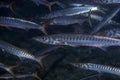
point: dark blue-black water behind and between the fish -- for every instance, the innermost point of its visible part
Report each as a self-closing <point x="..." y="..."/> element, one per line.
<point x="56" y="64"/>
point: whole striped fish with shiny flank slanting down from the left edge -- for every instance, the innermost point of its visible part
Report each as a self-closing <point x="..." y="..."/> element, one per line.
<point x="21" y="54"/>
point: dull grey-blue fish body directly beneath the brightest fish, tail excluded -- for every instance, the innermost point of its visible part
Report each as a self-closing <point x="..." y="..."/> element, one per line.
<point x="67" y="20"/>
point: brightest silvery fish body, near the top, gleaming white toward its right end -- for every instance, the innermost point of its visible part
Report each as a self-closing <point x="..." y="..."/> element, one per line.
<point x="70" y="12"/>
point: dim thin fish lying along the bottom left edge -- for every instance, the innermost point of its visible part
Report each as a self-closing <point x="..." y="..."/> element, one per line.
<point x="19" y="76"/>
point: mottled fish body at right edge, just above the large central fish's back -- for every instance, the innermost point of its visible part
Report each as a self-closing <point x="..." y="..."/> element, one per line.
<point x="113" y="32"/>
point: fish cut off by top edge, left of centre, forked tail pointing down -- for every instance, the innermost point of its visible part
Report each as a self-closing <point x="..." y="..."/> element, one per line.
<point x="44" y="2"/>
